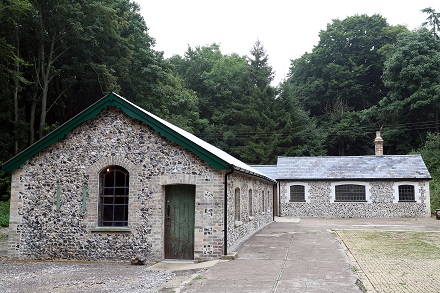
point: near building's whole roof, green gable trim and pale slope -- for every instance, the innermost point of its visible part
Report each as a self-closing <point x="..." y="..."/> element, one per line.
<point x="213" y="156"/>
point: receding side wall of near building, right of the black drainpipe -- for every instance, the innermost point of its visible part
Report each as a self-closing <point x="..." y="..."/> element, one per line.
<point x="249" y="222"/>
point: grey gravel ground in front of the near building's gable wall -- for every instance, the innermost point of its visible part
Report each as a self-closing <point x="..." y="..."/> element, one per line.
<point x="69" y="276"/>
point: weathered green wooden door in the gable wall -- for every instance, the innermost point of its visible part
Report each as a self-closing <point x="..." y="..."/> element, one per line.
<point x="179" y="221"/>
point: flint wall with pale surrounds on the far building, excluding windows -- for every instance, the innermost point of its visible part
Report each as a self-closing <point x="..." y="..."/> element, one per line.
<point x="382" y="201"/>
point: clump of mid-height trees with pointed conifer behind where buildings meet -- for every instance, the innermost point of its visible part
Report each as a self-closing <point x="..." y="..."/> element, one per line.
<point x="244" y="114"/>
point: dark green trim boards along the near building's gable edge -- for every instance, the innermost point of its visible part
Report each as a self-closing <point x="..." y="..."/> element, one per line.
<point x="131" y="110"/>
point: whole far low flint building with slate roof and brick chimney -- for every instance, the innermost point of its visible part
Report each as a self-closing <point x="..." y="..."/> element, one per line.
<point x="352" y="186"/>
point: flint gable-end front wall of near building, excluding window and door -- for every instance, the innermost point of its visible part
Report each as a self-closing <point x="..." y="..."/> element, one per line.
<point x="54" y="199"/>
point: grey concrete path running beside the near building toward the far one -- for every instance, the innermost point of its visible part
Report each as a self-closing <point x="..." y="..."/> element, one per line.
<point x="283" y="257"/>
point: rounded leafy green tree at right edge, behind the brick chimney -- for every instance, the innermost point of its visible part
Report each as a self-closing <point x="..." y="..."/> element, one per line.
<point x="413" y="81"/>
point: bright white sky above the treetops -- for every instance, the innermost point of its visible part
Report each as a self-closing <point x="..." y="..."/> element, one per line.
<point x="287" y="29"/>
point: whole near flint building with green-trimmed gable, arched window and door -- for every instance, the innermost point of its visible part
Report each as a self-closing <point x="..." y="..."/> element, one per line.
<point x="116" y="182"/>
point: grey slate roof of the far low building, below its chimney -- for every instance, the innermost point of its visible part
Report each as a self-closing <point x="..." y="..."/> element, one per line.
<point x="399" y="167"/>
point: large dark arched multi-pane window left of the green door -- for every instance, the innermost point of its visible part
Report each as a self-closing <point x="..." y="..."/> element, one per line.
<point x="113" y="196"/>
